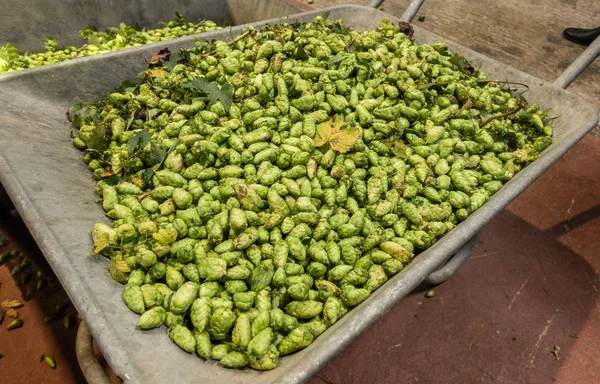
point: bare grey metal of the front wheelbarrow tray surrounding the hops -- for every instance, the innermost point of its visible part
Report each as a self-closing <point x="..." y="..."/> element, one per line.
<point x="54" y="193"/>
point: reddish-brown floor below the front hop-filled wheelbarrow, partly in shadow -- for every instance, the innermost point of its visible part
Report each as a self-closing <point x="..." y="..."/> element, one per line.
<point x="531" y="285"/>
